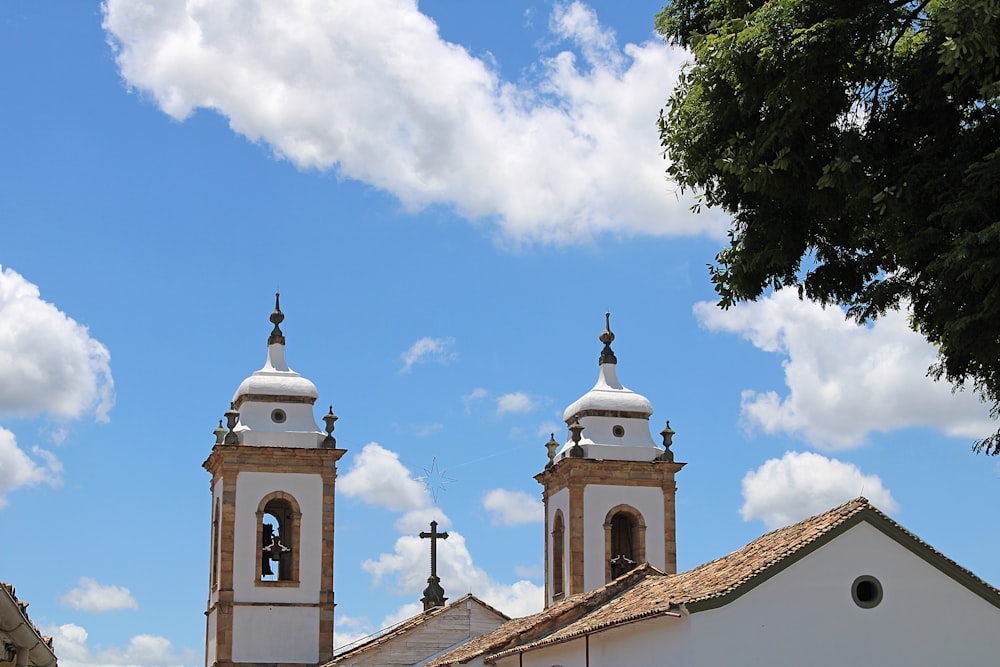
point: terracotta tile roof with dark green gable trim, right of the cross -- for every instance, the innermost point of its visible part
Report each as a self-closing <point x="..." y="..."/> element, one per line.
<point x="646" y="592"/>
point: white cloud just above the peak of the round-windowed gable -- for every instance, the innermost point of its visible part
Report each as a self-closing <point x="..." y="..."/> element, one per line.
<point x="801" y="484"/>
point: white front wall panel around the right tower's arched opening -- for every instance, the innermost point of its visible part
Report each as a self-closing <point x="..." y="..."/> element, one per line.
<point x="598" y="499"/>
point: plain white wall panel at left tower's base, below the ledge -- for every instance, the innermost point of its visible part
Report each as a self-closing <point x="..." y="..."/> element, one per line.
<point x="276" y="634"/>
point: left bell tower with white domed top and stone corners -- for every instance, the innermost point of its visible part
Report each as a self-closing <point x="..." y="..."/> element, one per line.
<point x="271" y="568"/>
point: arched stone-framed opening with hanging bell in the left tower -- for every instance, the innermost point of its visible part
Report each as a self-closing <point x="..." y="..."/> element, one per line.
<point x="278" y="520"/>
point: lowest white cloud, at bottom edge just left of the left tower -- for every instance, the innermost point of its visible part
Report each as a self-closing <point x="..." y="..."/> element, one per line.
<point x="70" y="643"/>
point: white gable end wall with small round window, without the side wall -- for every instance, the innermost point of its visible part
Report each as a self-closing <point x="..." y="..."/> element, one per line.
<point x="925" y="617"/>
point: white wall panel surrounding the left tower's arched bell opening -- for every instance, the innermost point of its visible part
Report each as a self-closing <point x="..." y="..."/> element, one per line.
<point x="307" y="489"/>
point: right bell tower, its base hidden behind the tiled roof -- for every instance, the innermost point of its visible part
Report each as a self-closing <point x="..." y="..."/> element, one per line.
<point x="608" y="489"/>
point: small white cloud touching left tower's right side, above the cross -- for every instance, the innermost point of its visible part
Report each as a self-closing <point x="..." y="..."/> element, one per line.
<point x="378" y="478"/>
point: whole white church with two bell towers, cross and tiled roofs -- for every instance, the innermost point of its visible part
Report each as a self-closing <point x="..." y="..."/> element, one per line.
<point x="849" y="586"/>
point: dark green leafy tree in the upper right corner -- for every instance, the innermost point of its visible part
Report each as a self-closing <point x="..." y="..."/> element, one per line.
<point x="856" y="144"/>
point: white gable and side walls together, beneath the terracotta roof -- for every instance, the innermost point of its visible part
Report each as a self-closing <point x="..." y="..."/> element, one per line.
<point x="805" y="614"/>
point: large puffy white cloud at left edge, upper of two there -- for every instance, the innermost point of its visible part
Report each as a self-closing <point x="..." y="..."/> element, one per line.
<point x="50" y="363"/>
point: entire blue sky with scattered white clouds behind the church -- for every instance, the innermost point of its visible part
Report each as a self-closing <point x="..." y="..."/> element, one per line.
<point x="448" y="197"/>
